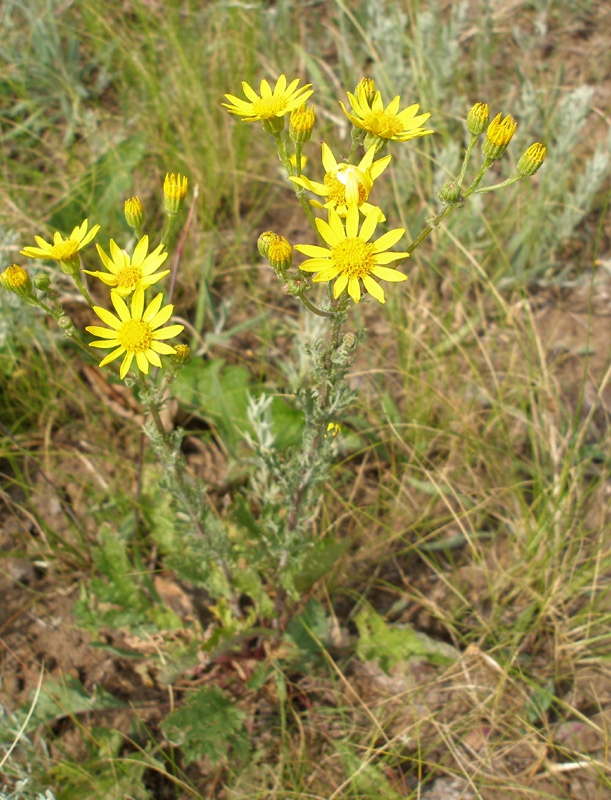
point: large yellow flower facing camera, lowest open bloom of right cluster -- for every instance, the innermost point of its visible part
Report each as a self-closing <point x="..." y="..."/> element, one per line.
<point x="351" y="257"/>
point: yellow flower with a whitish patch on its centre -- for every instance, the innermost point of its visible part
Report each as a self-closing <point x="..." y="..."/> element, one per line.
<point x="346" y="184"/>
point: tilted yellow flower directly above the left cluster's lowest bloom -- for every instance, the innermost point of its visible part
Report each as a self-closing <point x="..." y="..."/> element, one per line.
<point x="126" y="274"/>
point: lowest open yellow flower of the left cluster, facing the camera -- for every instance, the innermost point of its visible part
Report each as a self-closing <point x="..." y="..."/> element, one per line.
<point x="135" y="332"/>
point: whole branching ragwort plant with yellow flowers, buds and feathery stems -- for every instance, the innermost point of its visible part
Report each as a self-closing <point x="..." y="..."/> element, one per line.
<point x="278" y="546"/>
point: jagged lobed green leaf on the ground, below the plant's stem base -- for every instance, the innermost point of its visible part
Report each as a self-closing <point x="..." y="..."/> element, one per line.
<point x="208" y="724"/>
